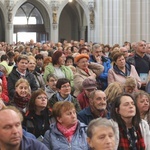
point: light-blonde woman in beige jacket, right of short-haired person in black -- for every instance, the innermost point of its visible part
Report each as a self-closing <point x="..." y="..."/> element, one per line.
<point x="38" y="77"/>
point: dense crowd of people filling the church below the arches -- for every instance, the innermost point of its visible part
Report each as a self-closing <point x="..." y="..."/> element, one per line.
<point x="74" y="95"/>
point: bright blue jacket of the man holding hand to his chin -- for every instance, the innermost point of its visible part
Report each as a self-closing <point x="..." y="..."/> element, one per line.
<point x="102" y="78"/>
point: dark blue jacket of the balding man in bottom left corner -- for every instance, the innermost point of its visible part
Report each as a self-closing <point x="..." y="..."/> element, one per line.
<point x="31" y="144"/>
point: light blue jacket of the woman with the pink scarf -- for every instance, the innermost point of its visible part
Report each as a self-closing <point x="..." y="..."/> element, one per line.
<point x="55" y="140"/>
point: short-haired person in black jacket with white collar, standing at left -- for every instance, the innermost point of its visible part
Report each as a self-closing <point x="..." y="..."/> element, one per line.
<point x="20" y="72"/>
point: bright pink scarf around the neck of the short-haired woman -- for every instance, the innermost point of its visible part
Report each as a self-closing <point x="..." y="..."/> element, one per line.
<point x="68" y="133"/>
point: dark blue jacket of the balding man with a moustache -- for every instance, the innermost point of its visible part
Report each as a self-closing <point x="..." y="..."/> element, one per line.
<point x="86" y="115"/>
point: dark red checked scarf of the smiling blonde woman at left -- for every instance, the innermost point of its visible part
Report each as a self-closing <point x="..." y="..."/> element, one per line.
<point x="21" y="102"/>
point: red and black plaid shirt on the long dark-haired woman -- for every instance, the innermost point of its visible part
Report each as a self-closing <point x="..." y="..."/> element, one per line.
<point x="125" y="142"/>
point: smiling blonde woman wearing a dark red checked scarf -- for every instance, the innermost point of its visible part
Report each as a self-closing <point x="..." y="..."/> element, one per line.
<point x="22" y="95"/>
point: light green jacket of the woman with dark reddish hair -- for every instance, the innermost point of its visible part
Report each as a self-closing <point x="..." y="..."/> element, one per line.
<point x="65" y="69"/>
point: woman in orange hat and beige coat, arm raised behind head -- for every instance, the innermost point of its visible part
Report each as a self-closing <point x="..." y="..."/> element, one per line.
<point x="83" y="71"/>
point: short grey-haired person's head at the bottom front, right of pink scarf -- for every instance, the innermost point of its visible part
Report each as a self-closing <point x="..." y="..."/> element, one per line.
<point x="102" y="134"/>
